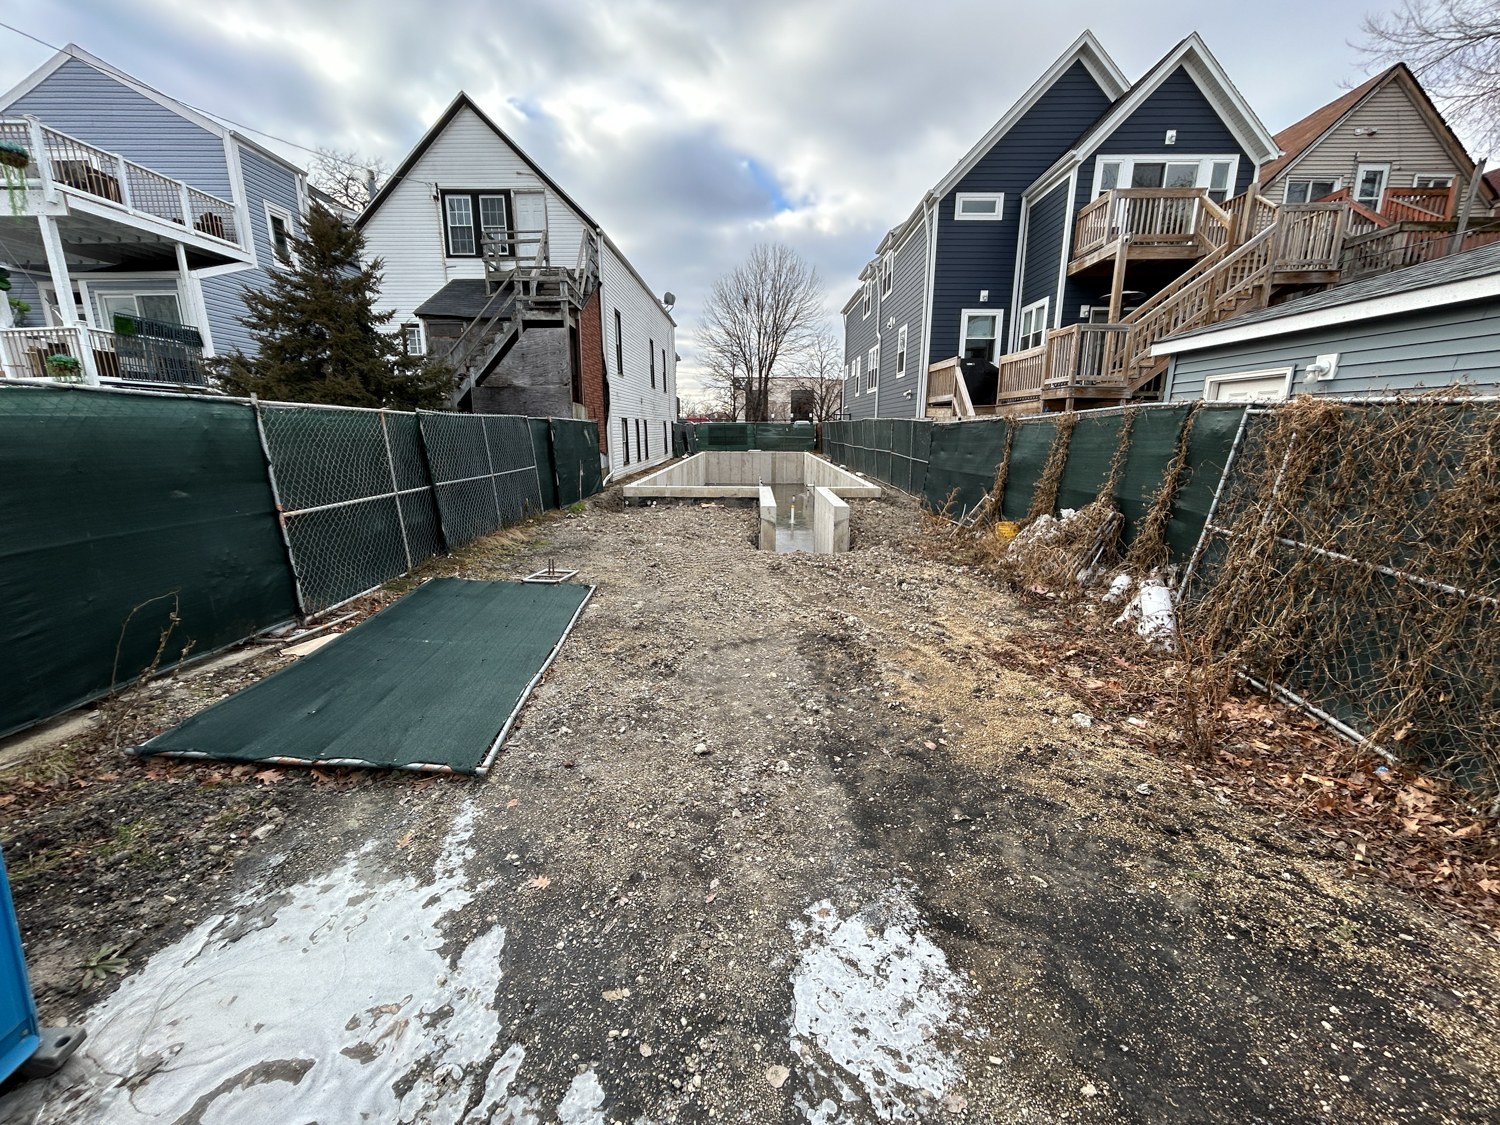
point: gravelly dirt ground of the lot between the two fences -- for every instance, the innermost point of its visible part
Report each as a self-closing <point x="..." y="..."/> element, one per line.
<point x="775" y="841"/>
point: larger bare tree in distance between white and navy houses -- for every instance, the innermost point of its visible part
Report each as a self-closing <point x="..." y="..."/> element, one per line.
<point x="757" y="319"/>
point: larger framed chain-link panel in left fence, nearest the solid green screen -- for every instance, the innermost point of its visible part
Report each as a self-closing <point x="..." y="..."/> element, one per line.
<point x="355" y="494"/>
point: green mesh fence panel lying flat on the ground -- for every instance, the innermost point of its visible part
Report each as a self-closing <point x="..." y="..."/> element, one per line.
<point x="430" y="682"/>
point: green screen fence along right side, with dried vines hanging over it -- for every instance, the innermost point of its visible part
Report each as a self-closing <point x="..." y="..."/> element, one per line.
<point x="952" y="467"/>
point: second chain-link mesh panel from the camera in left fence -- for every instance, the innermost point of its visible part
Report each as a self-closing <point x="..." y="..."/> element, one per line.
<point x="484" y="472"/>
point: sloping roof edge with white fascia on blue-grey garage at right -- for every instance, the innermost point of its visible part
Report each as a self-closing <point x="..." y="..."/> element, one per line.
<point x="1462" y="277"/>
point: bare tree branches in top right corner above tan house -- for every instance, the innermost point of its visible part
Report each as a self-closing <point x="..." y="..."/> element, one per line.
<point x="1454" y="49"/>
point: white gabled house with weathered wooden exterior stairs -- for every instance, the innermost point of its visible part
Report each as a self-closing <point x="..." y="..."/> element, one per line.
<point x="493" y="266"/>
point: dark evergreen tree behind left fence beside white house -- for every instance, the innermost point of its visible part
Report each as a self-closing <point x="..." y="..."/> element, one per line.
<point x="320" y="337"/>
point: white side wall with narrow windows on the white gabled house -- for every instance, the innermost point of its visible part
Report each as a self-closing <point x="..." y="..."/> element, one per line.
<point x="644" y="323"/>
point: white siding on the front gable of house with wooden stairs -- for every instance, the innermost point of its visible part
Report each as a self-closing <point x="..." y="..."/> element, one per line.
<point x="407" y="230"/>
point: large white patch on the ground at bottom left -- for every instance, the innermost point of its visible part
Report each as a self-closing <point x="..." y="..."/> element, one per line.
<point x="329" y="1003"/>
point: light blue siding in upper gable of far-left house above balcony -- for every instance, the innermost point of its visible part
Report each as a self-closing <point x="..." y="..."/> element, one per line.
<point x="97" y="109"/>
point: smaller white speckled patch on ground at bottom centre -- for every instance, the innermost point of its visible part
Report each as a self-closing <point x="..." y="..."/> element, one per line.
<point x="871" y="997"/>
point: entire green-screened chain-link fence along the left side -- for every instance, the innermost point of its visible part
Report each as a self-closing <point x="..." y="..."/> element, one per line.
<point x="125" y="509"/>
